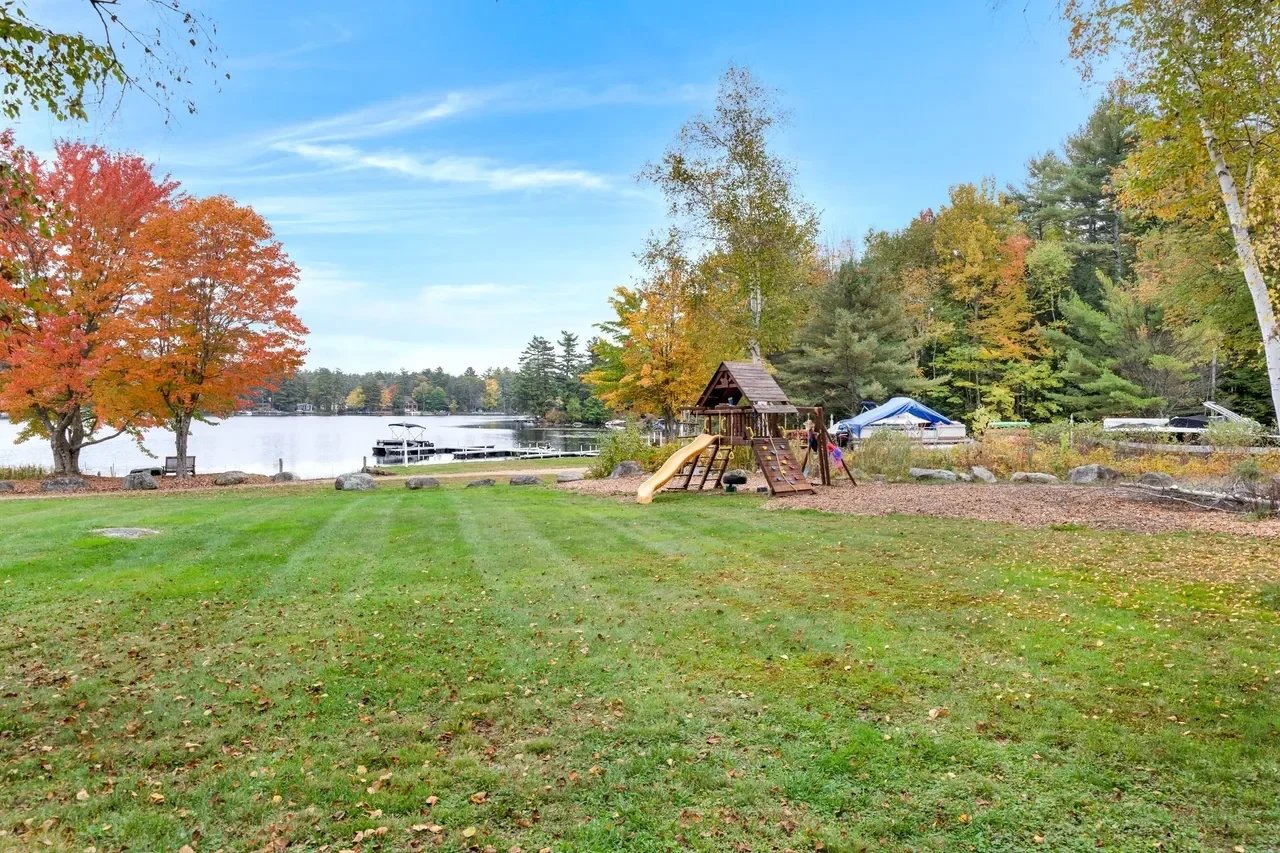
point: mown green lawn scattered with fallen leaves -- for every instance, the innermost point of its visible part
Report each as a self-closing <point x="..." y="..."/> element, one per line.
<point x="459" y="669"/>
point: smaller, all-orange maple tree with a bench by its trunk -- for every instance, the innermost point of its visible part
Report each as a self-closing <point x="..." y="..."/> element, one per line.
<point x="217" y="320"/>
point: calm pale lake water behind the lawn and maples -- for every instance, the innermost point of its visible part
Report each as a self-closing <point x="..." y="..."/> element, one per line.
<point x="310" y="446"/>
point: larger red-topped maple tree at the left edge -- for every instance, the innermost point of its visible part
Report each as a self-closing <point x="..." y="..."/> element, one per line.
<point x="72" y="258"/>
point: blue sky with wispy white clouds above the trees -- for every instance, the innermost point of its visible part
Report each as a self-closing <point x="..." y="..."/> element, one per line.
<point x="456" y="177"/>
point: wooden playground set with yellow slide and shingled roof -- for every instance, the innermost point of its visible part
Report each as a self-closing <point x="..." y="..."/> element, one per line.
<point x="743" y="407"/>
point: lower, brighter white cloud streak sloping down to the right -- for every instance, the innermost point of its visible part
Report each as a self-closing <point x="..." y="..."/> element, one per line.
<point x="449" y="170"/>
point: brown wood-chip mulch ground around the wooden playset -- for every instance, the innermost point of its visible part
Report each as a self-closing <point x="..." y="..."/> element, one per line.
<point x="1034" y="507"/>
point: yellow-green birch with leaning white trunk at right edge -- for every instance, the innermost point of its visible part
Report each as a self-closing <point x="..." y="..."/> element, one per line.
<point x="1206" y="75"/>
